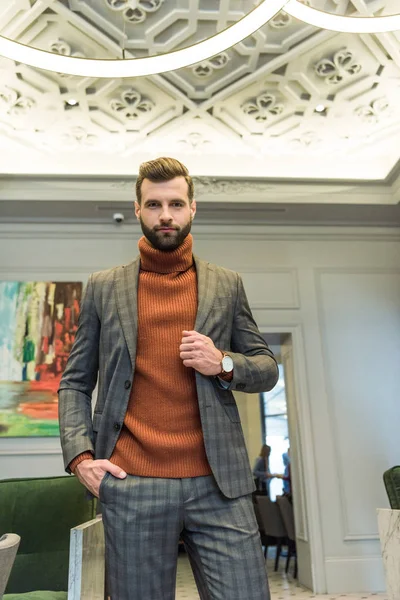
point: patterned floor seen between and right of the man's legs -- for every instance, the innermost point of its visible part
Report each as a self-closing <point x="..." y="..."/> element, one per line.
<point x="282" y="587"/>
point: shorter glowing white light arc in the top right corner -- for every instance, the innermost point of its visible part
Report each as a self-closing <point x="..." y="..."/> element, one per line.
<point x="343" y="24"/>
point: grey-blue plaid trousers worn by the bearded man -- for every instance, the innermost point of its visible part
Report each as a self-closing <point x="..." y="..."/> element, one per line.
<point x="143" y="518"/>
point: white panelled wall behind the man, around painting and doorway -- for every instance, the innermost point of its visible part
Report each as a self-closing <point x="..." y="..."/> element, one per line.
<point x="338" y="292"/>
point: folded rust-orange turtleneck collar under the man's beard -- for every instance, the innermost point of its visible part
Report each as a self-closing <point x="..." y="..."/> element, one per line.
<point x="159" y="261"/>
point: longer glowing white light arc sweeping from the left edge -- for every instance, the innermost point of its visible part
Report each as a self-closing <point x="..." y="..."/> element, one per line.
<point x="138" y="67"/>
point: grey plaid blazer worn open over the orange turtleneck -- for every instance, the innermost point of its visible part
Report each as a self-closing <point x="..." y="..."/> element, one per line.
<point x="105" y="348"/>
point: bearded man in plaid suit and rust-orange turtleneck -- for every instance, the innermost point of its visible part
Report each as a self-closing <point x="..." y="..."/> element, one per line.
<point x="169" y="337"/>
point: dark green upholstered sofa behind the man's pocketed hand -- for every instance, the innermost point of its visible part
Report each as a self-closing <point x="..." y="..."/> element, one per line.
<point x="42" y="511"/>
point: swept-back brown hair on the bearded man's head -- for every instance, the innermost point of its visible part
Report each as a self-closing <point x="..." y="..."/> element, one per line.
<point x="163" y="169"/>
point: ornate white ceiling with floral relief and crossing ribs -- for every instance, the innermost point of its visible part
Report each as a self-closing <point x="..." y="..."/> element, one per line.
<point x="249" y="112"/>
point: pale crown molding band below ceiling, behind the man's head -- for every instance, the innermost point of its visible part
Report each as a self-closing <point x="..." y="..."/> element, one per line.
<point x="207" y="189"/>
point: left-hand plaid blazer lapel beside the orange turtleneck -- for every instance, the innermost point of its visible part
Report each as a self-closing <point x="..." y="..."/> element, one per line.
<point x="126" y="284"/>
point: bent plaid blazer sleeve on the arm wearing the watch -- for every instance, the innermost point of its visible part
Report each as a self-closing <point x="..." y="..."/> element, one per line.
<point x="255" y="368"/>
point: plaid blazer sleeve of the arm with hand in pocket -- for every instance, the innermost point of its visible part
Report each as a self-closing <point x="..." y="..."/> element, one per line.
<point x="78" y="382"/>
